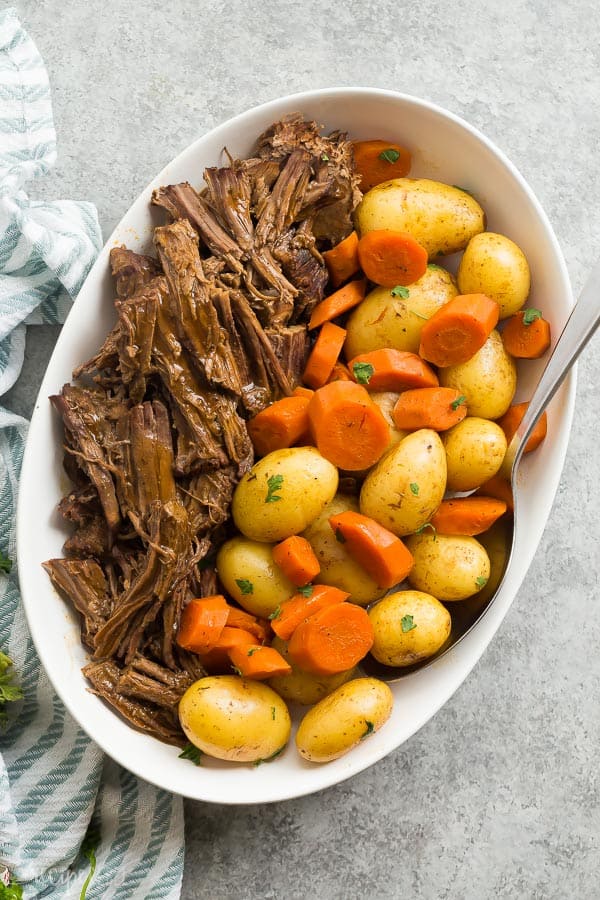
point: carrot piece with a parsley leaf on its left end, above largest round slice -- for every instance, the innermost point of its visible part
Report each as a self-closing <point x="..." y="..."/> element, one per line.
<point x="392" y="370"/>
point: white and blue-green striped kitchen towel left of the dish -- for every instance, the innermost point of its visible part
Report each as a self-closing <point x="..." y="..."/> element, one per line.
<point x="57" y="792"/>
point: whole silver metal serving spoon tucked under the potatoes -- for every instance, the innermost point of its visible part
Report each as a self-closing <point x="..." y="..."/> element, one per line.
<point x="500" y="544"/>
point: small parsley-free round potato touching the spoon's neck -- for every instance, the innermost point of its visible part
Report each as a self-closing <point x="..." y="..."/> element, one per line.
<point x="475" y="449"/>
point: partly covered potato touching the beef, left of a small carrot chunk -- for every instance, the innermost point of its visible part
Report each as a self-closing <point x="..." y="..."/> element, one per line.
<point x="250" y="576"/>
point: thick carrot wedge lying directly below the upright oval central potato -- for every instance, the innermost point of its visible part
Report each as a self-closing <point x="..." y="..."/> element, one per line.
<point x="377" y="550"/>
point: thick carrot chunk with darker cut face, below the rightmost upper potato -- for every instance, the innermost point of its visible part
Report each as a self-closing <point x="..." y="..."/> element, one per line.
<point x="457" y="330"/>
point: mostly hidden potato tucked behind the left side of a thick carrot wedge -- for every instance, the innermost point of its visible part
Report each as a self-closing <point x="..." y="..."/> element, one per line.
<point x="338" y="568"/>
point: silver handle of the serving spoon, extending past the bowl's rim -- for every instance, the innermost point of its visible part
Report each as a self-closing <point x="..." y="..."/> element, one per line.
<point x="579" y="328"/>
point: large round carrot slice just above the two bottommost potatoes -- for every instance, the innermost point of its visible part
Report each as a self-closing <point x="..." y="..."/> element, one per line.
<point x="333" y="640"/>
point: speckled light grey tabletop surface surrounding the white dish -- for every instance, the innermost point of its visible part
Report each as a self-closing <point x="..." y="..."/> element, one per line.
<point x="498" y="796"/>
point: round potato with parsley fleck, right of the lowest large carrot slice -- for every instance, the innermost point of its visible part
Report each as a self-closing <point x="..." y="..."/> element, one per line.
<point x="409" y="626"/>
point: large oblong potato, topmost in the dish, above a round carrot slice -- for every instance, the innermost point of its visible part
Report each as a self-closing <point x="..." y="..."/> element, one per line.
<point x="440" y="217"/>
